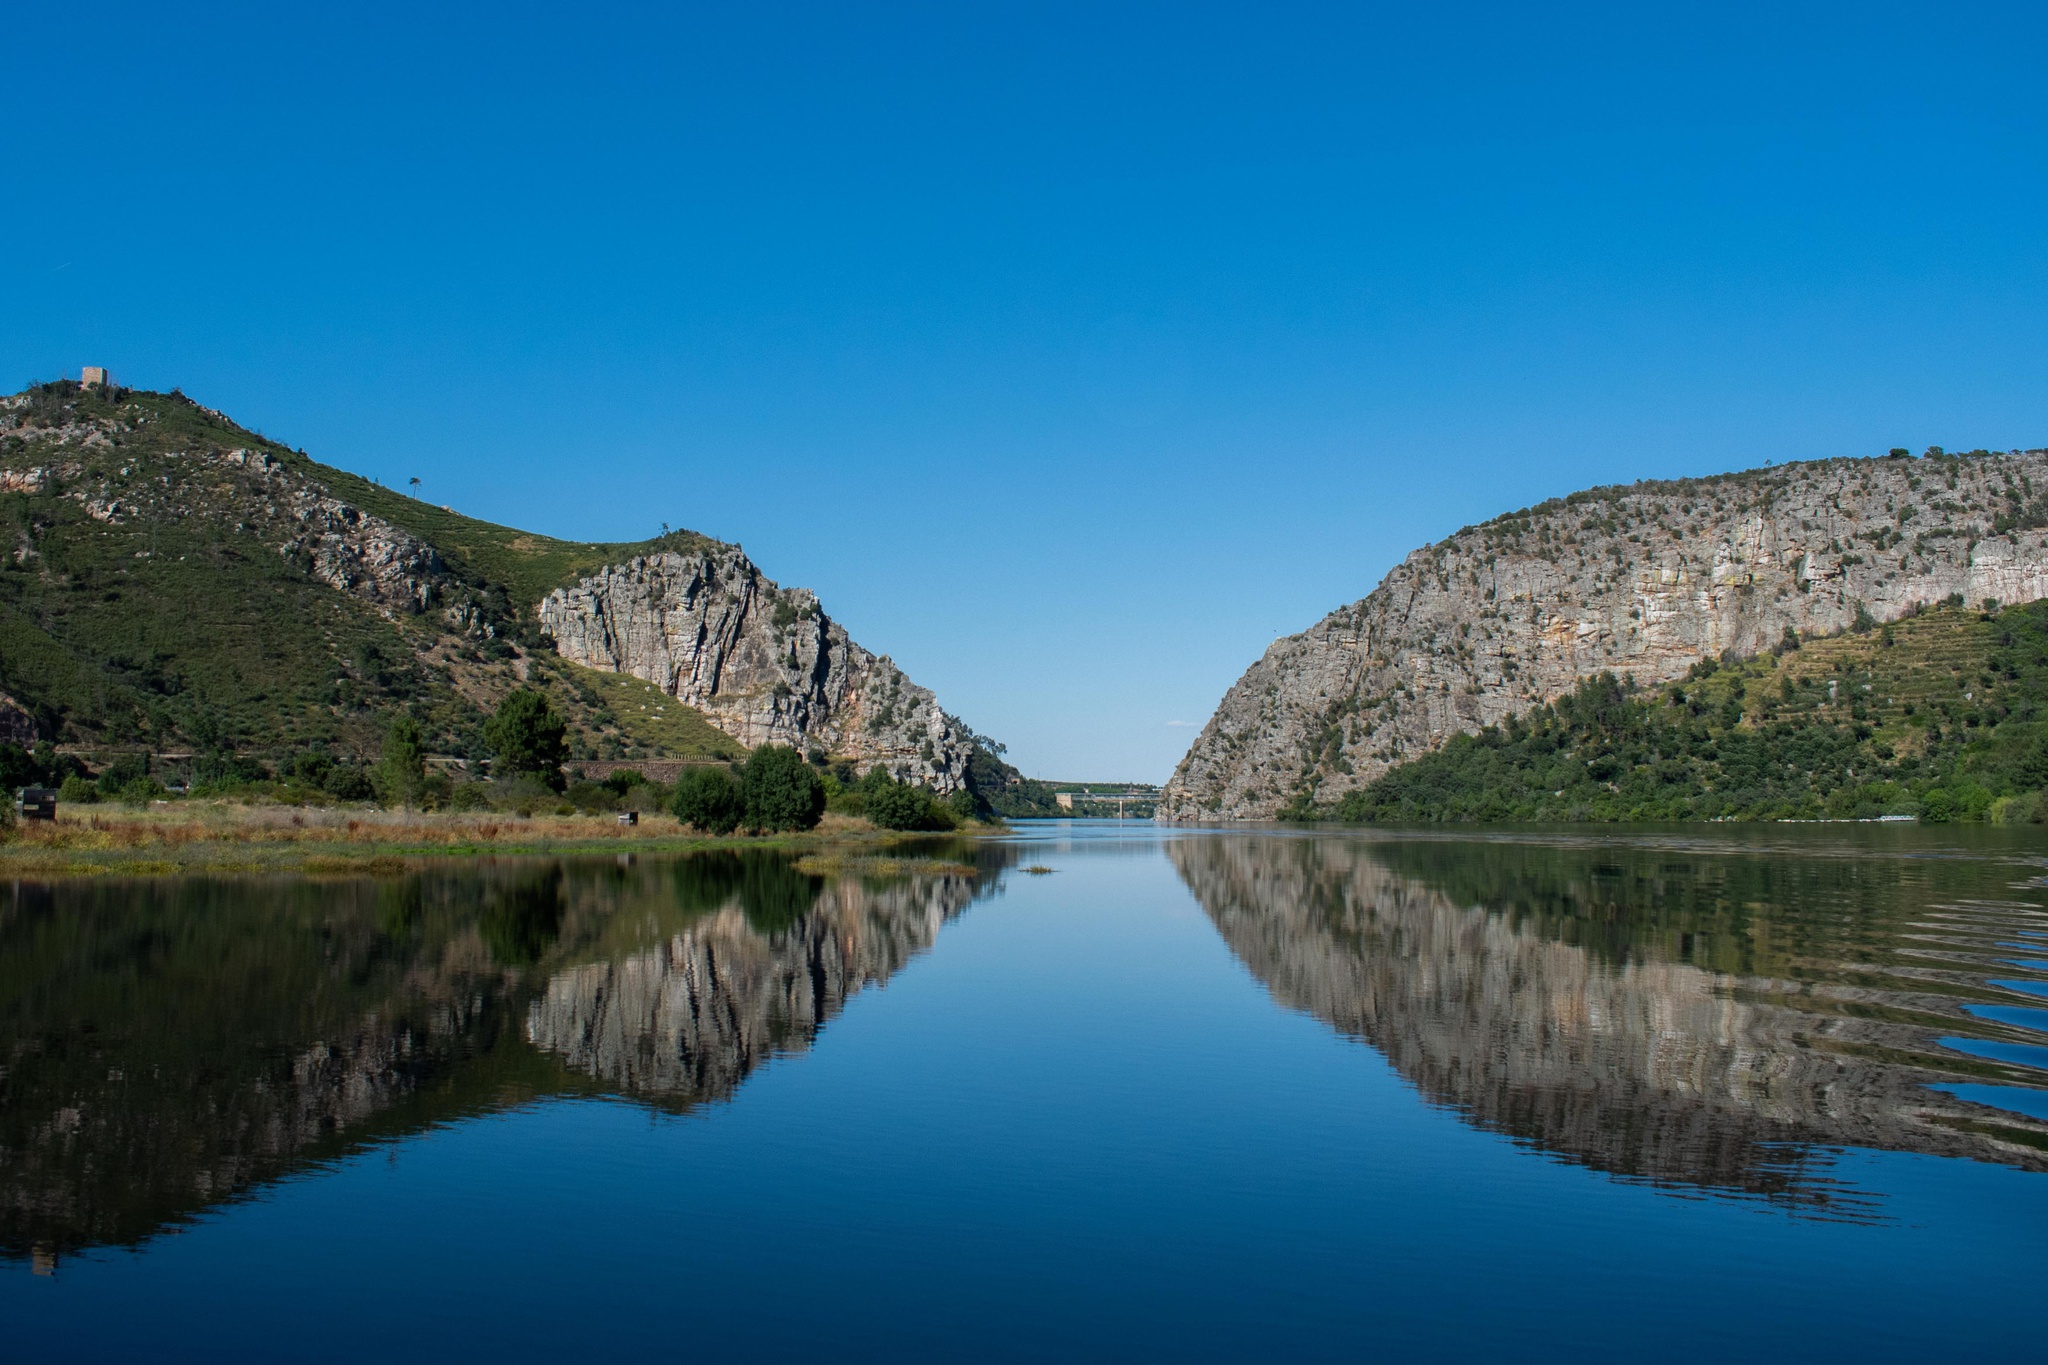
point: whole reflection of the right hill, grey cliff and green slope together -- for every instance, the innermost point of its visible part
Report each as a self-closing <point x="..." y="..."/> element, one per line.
<point x="1697" y="1018"/>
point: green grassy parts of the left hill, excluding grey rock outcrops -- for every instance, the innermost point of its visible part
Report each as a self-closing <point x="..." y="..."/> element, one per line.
<point x="181" y="629"/>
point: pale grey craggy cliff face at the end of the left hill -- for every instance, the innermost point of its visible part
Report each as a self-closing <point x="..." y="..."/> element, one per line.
<point x="765" y="664"/>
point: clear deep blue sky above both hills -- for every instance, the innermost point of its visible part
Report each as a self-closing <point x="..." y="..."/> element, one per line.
<point x="1070" y="353"/>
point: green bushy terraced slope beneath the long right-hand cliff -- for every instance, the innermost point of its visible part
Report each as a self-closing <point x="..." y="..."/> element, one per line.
<point x="1943" y="715"/>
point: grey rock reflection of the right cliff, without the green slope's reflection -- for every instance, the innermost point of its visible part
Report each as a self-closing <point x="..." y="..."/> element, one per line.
<point x="1644" y="1069"/>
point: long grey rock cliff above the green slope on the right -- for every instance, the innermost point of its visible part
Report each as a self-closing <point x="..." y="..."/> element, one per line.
<point x="1639" y="580"/>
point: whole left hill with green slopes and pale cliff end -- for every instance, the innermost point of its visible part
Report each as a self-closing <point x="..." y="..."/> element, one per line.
<point x="175" y="582"/>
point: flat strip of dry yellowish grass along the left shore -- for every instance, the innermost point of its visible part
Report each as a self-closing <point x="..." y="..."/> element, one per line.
<point x="216" y="836"/>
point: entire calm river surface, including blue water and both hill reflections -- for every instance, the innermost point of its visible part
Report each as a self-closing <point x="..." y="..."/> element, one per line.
<point x="1191" y="1094"/>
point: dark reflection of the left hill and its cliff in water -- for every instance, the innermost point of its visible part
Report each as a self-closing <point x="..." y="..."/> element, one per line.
<point x="171" y="1045"/>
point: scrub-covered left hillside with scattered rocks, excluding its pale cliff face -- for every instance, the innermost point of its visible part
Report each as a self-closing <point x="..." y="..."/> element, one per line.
<point x="189" y="603"/>
